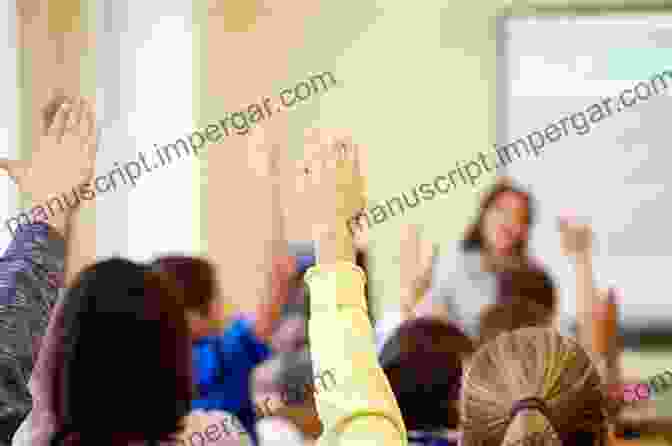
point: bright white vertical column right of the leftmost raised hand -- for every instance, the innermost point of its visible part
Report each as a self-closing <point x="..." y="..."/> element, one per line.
<point x="148" y="100"/>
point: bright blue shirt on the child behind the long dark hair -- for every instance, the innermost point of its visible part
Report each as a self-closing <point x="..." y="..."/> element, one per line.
<point x="222" y="368"/>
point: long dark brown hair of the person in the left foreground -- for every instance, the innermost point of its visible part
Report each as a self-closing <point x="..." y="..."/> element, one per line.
<point x="126" y="351"/>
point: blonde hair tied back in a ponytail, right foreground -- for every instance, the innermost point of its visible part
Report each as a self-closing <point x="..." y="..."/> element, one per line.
<point x="538" y="364"/>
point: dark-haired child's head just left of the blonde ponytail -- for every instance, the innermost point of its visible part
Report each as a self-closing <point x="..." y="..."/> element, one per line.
<point x="423" y="363"/>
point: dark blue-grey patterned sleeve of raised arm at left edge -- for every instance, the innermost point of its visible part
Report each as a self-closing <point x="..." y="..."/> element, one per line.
<point x="30" y="276"/>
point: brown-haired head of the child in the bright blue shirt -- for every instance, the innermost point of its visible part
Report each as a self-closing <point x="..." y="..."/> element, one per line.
<point x="197" y="279"/>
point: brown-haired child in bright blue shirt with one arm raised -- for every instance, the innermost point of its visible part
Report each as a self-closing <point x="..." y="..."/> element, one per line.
<point x="226" y="349"/>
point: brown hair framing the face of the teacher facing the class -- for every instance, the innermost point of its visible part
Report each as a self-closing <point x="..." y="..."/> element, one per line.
<point x="473" y="240"/>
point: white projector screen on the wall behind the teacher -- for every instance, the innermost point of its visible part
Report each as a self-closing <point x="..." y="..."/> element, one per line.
<point x="616" y="175"/>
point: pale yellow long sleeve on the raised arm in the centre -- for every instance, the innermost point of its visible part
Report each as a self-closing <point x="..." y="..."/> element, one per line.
<point x="360" y="408"/>
